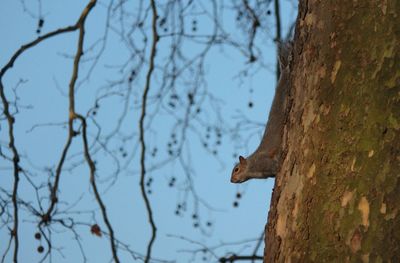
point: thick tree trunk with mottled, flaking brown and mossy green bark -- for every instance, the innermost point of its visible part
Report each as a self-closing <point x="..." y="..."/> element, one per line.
<point x="337" y="196"/>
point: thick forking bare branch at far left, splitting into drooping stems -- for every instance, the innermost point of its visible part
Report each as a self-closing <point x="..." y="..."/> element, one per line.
<point x="46" y="217"/>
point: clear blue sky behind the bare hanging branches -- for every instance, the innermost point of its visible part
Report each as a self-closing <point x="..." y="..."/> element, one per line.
<point x="39" y="83"/>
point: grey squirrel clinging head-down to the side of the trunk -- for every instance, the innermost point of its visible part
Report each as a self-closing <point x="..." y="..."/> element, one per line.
<point x="263" y="163"/>
